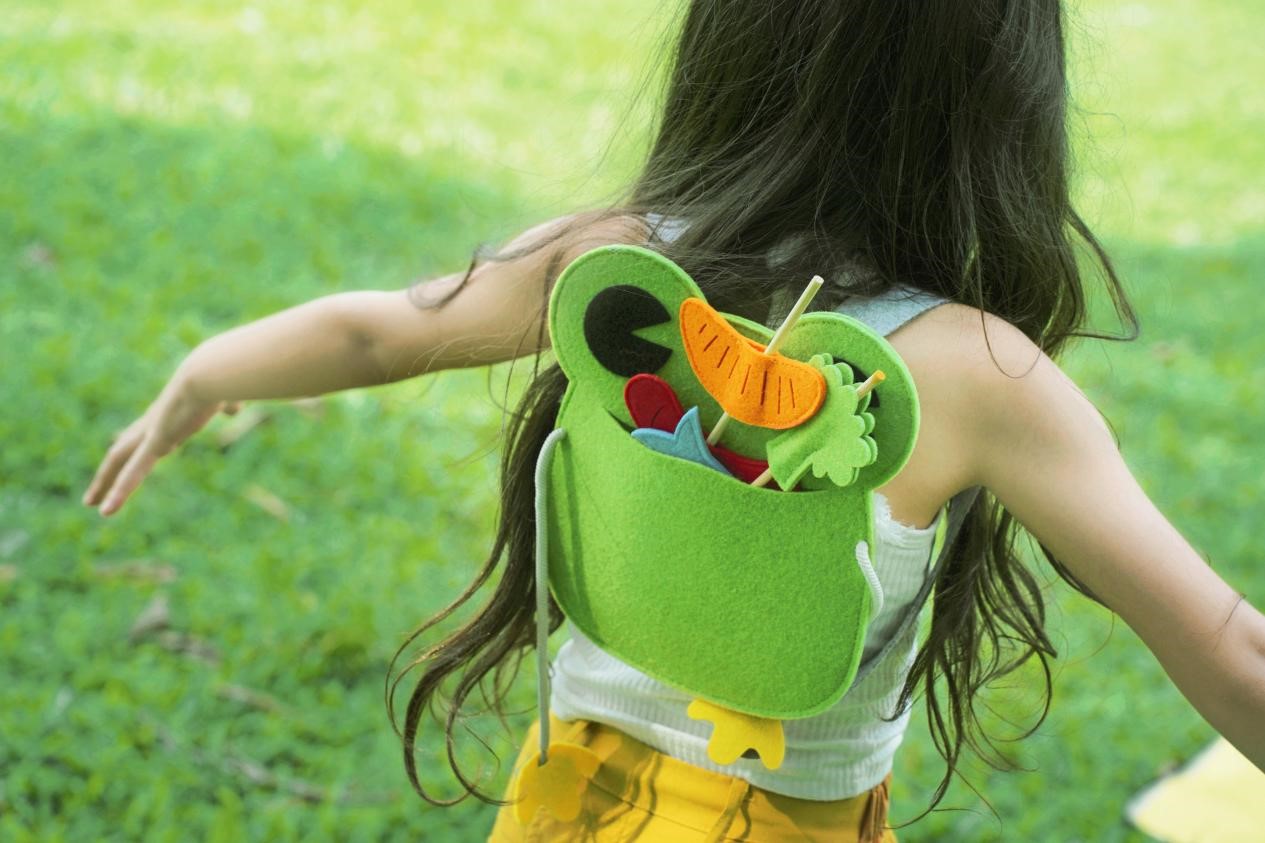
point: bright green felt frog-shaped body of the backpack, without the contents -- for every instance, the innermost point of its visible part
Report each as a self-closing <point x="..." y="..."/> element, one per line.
<point x="748" y="598"/>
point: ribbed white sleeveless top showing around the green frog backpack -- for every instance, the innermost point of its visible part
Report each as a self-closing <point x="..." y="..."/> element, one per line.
<point x="836" y="755"/>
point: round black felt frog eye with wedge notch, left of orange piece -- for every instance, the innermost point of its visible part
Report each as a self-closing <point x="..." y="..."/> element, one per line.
<point x="610" y="321"/>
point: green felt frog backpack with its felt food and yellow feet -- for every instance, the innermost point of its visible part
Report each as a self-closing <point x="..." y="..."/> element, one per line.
<point x="704" y="506"/>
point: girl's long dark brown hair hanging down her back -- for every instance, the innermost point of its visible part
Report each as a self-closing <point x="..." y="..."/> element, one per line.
<point x="875" y="144"/>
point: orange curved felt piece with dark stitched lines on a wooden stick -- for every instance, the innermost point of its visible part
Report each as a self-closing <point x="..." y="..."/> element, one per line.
<point x="765" y="390"/>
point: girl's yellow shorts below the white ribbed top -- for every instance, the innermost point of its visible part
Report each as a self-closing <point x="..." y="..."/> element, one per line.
<point x="641" y="794"/>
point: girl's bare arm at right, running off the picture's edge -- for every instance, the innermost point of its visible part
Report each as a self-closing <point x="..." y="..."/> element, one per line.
<point x="1040" y="446"/>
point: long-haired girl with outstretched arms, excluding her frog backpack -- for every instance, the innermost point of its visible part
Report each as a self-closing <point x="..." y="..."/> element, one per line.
<point x="915" y="155"/>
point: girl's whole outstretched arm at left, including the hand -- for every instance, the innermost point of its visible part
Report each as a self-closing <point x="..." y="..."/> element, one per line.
<point x="355" y="340"/>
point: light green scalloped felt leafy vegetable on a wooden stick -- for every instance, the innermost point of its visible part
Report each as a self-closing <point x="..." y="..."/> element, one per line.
<point x="833" y="446"/>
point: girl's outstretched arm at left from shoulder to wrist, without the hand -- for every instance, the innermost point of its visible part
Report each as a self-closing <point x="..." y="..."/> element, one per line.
<point x="369" y="339"/>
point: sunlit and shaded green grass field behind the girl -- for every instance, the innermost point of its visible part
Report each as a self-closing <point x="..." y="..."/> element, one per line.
<point x="209" y="664"/>
